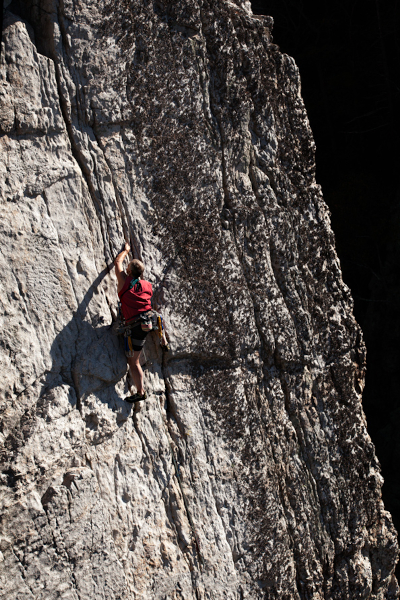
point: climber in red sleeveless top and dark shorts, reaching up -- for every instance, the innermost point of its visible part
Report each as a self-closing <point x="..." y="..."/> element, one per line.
<point x="135" y="296"/>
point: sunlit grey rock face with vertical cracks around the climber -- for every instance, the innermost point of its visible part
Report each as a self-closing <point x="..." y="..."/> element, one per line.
<point x="179" y="126"/>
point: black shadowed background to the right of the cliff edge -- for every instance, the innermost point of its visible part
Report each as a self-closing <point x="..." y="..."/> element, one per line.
<point x="348" y="54"/>
